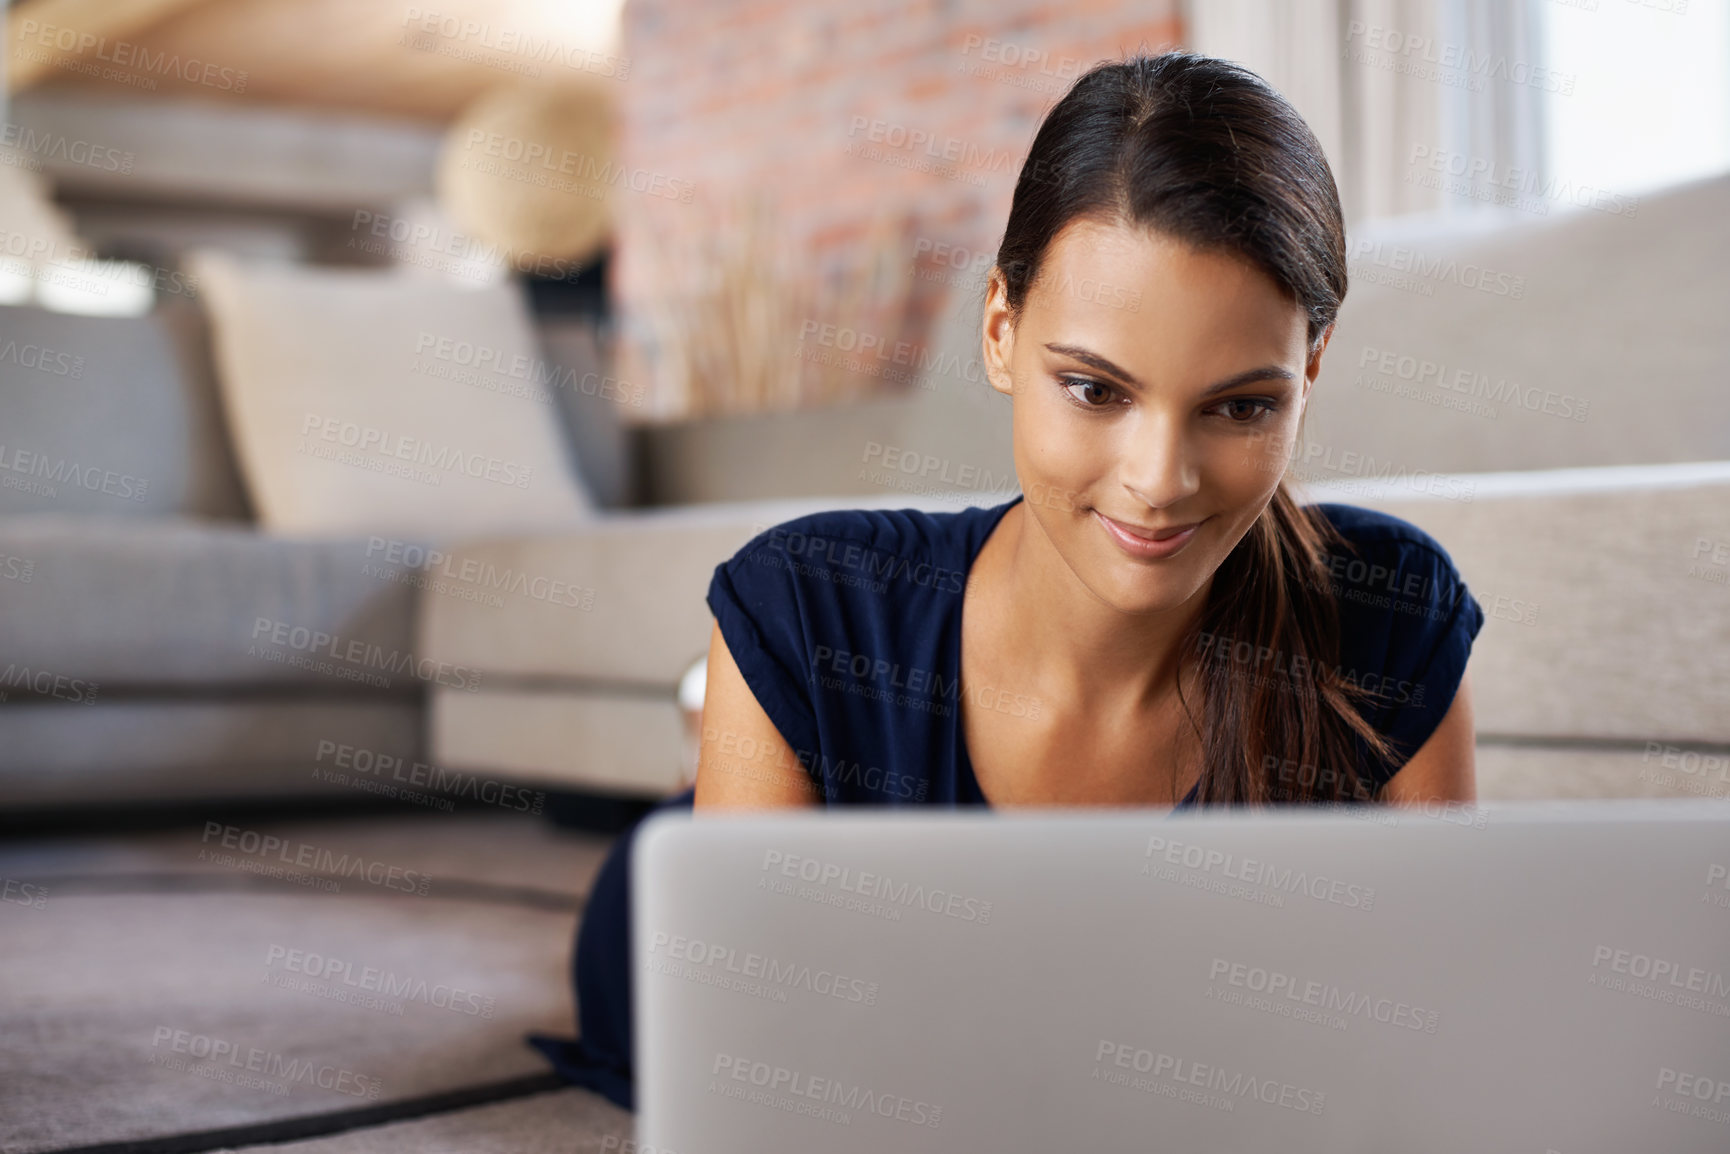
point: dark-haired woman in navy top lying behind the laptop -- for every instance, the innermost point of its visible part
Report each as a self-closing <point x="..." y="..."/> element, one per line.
<point x="1155" y="622"/>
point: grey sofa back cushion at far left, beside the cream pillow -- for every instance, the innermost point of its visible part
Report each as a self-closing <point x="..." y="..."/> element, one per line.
<point x="112" y="416"/>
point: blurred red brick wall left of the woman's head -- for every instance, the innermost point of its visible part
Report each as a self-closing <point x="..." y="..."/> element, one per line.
<point x="878" y="141"/>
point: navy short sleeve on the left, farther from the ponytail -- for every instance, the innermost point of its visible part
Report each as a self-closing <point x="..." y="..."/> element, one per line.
<point x="759" y="606"/>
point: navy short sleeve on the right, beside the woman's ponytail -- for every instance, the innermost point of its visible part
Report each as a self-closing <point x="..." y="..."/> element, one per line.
<point x="1407" y="631"/>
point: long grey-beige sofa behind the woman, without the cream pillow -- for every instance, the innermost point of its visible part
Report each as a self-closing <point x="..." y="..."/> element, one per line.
<point x="151" y="619"/>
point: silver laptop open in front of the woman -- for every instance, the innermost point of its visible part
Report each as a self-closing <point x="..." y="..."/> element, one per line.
<point x="1522" y="980"/>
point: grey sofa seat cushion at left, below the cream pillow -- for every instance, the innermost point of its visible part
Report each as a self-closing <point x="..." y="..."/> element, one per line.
<point x="169" y="605"/>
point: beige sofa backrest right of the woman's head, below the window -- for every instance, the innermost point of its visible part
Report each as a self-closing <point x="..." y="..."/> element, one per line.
<point x="1579" y="340"/>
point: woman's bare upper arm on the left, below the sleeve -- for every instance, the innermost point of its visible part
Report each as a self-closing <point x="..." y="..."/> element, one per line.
<point x="743" y="764"/>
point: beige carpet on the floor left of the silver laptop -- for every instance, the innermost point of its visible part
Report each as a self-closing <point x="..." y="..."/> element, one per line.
<point x="179" y="984"/>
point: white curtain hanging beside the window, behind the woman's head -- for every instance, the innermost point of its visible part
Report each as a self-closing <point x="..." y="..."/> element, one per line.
<point x="1421" y="106"/>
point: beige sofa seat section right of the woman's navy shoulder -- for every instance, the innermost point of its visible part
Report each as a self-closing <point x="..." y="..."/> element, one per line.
<point x="1606" y="596"/>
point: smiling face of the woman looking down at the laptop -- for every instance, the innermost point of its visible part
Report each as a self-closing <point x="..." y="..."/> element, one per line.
<point x="1157" y="388"/>
